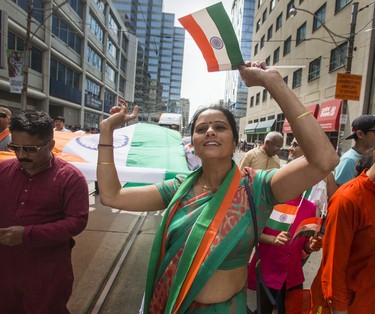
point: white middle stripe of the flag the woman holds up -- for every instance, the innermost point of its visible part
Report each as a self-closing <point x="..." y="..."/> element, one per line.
<point x="209" y="28"/>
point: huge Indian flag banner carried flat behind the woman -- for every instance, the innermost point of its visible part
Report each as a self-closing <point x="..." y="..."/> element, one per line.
<point x="144" y="153"/>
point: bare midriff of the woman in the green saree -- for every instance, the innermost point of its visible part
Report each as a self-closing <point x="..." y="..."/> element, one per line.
<point x="223" y="285"/>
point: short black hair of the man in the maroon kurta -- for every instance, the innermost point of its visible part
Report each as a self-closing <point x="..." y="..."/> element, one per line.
<point x="33" y="123"/>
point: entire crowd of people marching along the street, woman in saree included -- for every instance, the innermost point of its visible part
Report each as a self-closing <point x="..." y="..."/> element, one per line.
<point x="201" y="260"/>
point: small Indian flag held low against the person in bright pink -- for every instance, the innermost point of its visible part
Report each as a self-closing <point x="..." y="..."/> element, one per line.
<point x="282" y="217"/>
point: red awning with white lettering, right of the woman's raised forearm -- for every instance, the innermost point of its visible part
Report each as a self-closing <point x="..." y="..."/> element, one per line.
<point x="329" y="115"/>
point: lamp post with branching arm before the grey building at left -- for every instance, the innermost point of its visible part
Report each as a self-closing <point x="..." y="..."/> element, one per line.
<point x="29" y="37"/>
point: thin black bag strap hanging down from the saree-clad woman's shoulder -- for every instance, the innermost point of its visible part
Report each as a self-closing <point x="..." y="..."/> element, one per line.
<point x="259" y="276"/>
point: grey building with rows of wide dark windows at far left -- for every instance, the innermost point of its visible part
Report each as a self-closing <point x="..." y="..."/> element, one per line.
<point x="82" y="59"/>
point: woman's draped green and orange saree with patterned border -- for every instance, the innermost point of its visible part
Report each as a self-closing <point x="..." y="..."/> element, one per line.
<point x="181" y="236"/>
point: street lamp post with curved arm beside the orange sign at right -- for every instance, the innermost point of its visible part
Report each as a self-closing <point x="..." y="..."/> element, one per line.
<point x="348" y="64"/>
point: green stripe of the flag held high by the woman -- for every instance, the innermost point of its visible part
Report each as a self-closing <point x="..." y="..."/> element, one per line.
<point x="225" y="27"/>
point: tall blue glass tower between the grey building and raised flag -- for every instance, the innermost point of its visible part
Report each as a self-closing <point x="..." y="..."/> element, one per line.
<point x="160" y="56"/>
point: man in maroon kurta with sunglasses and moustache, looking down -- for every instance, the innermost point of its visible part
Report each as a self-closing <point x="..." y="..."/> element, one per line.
<point x="43" y="204"/>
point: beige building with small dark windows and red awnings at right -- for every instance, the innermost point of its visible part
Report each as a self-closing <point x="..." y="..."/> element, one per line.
<point x="313" y="40"/>
